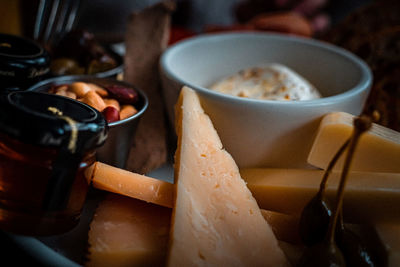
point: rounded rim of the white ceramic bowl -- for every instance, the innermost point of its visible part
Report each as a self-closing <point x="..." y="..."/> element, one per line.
<point x="364" y="83"/>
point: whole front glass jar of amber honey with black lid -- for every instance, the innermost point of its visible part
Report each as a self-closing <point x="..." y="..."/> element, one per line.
<point x="46" y="143"/>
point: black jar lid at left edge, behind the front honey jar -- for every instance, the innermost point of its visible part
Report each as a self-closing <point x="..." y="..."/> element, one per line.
<point x="23" y="62"/>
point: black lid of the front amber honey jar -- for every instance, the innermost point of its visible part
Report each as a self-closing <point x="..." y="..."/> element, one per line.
<point x="51" y="120"/>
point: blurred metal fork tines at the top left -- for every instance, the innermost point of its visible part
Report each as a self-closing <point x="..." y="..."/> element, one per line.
<point x="54" y="18"/>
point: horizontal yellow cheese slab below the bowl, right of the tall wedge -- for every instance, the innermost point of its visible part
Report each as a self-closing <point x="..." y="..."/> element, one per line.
<point x="369" y="197"/>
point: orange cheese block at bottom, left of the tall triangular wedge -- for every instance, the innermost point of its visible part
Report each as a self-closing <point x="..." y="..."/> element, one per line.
<point x="128" y="232"/>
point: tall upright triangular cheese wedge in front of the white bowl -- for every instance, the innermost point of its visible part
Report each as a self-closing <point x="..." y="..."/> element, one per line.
<point x="215" y="221"/>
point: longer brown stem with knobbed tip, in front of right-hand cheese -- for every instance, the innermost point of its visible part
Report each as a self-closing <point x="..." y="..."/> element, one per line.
<point x="361" y="125"/>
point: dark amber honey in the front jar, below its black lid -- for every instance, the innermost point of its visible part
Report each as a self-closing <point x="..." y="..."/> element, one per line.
<point x="25" y="171"/>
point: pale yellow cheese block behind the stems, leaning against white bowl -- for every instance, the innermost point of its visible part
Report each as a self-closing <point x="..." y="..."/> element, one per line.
<point x="377" y="151"/>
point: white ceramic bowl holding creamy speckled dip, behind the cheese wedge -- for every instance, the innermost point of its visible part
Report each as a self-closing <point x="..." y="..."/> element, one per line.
<point x="262" y="132"/>
